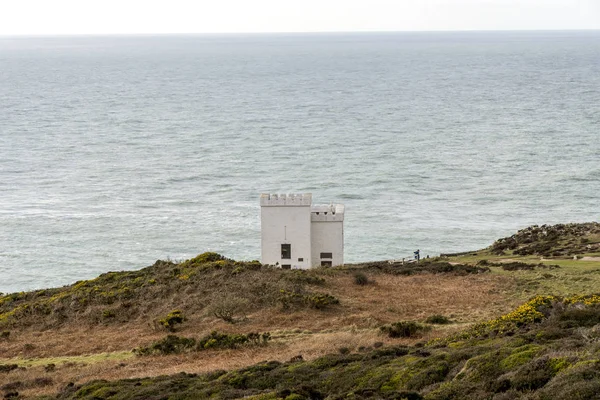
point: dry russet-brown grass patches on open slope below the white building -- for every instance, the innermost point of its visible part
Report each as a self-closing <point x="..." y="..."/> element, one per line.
<point x="310" y="333"/>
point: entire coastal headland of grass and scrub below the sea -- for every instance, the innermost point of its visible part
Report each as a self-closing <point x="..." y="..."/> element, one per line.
<point x="194" y="324"/>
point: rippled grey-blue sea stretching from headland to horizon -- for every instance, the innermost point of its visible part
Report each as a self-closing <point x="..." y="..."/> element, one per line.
<point x="117" y="151"/>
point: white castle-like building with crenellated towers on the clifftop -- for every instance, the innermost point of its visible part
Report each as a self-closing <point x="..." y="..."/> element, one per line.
<point x="295" y="234"/>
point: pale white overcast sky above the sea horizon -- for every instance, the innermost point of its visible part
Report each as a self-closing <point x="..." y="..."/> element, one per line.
<point x="39" y="17"/>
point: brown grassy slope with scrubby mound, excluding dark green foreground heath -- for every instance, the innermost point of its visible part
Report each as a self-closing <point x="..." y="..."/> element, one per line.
<point x="85" y="329"/>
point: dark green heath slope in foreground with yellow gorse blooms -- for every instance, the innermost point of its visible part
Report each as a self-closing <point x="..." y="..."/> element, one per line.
<point x="549" y="348"/>
